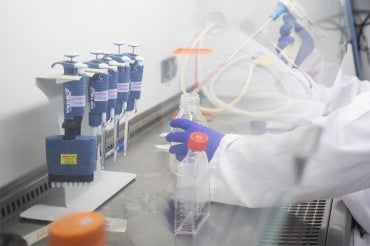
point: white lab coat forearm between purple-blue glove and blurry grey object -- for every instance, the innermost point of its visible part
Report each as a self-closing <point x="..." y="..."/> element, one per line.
<point x="254" y="171"/>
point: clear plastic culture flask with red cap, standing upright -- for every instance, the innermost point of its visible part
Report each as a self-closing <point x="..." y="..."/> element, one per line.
<point x="192" y="194"/>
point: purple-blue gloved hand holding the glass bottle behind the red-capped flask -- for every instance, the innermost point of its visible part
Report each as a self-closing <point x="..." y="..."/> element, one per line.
<point x="182" y="137"/>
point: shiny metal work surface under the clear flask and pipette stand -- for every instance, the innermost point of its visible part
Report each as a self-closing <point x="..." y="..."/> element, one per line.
<point x="147" y="205"/>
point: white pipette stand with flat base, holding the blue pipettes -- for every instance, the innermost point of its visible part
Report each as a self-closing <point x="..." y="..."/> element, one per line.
<point x="77" y="197"/>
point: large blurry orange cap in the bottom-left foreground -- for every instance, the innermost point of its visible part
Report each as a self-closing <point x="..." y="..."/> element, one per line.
<point x="78" y="229"/>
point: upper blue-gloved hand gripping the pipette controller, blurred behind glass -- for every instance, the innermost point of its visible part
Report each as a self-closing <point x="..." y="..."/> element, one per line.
<point x="286" y="39"/>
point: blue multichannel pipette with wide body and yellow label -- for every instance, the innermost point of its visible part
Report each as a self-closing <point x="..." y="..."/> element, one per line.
<point x="71" y="157"/>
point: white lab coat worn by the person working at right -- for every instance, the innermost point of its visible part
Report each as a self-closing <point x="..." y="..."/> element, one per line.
<point x="257" y="171"/>
